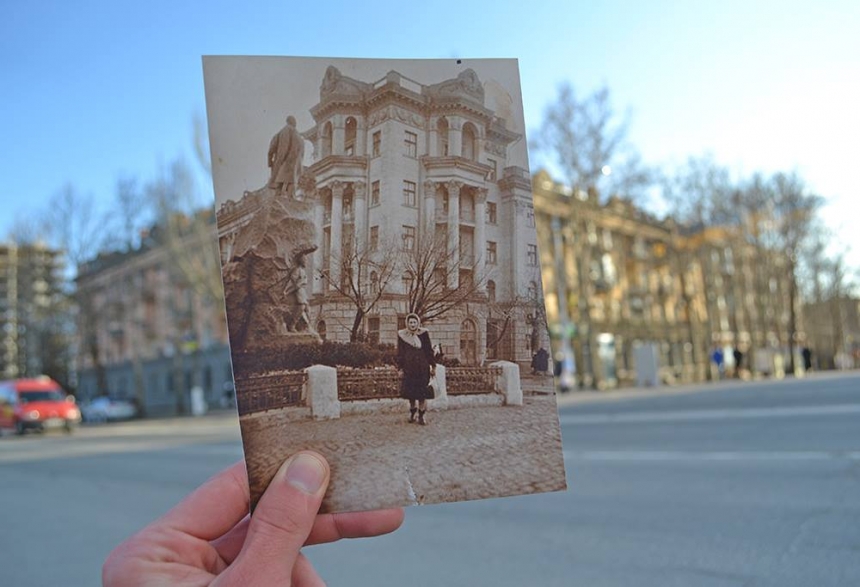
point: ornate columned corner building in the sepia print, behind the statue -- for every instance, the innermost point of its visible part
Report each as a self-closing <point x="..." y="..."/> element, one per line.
<point x="417" y="208"/>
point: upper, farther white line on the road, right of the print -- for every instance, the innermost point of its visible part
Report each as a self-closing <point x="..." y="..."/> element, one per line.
<point x="717" y="414"/>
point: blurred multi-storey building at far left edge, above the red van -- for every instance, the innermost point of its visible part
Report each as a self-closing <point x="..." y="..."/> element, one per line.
<point x="32" y="313"/>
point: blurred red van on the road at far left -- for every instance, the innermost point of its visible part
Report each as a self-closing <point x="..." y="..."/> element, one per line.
<point x="36" y="404"/>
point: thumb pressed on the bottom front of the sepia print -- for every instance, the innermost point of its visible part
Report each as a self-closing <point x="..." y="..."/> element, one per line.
<point x="282" y="521"/>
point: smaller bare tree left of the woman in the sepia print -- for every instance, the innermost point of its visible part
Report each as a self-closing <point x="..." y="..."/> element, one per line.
<point x="366" y="273"/>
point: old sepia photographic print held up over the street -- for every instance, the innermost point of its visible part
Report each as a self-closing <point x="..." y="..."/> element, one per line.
<point x="382" y="278"/>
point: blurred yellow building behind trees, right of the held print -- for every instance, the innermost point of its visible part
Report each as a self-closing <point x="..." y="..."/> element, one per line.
<point x="631" y="279"/>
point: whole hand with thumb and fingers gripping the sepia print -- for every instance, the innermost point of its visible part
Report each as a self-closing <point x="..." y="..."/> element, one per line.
<point x="208" y="539"/>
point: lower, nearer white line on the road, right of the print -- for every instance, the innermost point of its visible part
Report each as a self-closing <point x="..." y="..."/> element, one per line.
<point x="703" y="456"/>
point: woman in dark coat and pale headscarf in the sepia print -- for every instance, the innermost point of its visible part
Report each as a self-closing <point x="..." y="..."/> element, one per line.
<point x="415" y="359"/>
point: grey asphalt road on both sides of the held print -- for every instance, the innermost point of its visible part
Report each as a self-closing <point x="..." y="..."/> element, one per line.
<point x="753" y="485"/>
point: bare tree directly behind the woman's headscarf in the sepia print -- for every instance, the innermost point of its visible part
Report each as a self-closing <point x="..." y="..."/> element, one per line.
<point x="430" y="265"/>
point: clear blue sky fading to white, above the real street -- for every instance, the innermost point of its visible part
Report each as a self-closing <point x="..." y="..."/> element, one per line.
<point x="91" y="91"/>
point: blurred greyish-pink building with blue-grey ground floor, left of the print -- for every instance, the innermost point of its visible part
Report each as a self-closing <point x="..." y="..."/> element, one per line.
<point x="146" y="334"/>
